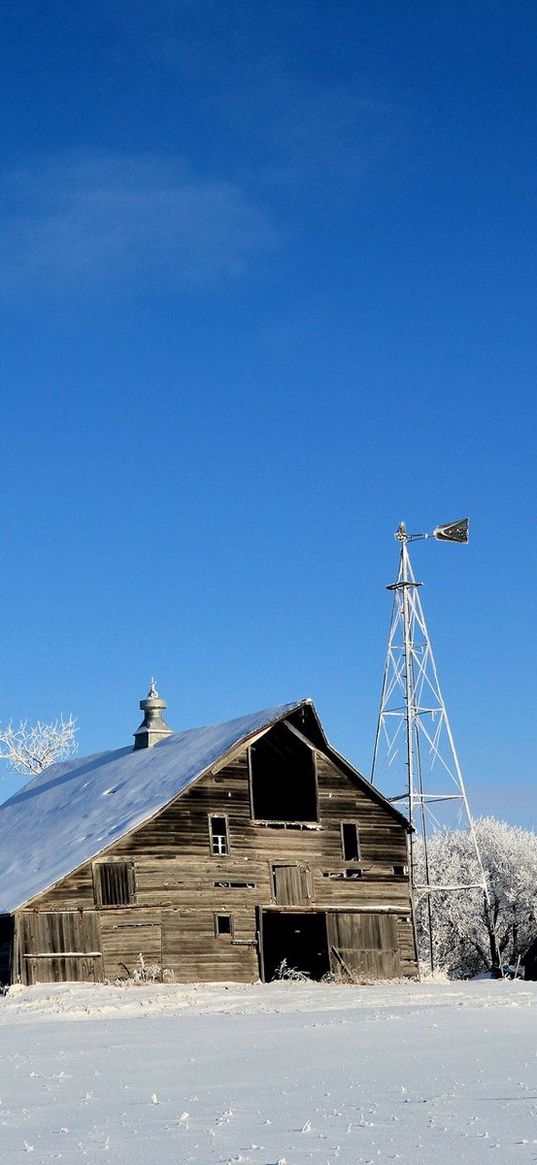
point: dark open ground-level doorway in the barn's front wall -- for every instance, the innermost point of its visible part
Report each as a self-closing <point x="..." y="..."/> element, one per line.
<point x="300" y="942"/>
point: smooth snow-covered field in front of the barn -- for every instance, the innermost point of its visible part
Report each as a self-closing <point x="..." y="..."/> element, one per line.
<point x="423" y="1074"/>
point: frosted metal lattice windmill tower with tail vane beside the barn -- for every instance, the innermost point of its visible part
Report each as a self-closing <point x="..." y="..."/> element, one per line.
<point x="414" y="746"/>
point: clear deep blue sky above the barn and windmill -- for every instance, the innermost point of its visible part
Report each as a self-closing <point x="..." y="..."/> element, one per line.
<point x="268" y="286"/>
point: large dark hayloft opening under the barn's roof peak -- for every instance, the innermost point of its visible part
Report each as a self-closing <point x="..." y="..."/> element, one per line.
<point x="284" y="781"/>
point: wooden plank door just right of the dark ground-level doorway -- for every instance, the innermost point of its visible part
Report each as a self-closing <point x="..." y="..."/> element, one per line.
<point x="365" y="944"/>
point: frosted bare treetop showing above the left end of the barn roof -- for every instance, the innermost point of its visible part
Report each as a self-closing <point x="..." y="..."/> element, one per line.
<point x="31" y="749"/>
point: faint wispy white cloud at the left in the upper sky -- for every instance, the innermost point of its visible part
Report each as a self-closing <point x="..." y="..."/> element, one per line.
<point x="93" y="220"/>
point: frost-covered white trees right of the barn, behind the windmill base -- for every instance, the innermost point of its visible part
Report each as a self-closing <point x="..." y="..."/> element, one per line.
<point x="470" y="937"/>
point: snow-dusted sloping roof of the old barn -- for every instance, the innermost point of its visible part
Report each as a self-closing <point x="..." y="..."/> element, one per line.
<point x="79" y="808"/>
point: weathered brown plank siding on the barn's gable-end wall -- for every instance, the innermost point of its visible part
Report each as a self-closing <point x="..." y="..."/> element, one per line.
<point x="180" y="887"/>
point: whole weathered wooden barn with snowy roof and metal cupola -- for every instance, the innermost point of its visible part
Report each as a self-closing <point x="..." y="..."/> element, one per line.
<point x="218" y="853"/>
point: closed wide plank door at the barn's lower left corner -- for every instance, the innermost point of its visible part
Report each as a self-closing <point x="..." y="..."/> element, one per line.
<point x="61" y="948"/>
